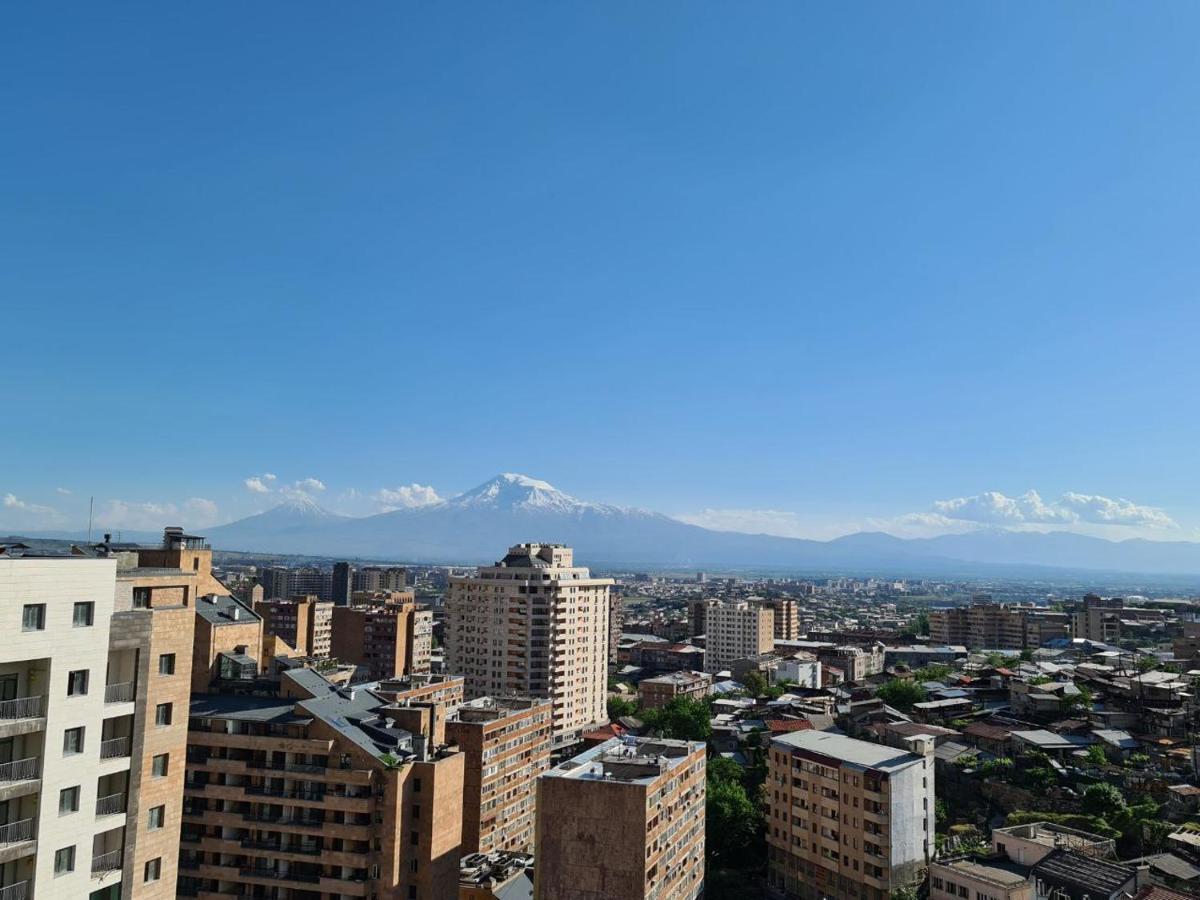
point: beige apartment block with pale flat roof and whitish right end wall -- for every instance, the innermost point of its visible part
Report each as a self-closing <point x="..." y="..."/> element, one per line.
<point x="848" y="819"/>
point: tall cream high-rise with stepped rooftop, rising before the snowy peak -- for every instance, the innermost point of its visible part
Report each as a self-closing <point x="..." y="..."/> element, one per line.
<point x="535" y="625"/>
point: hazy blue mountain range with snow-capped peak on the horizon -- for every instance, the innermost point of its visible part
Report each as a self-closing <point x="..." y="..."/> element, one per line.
<point x="479" y="525"/>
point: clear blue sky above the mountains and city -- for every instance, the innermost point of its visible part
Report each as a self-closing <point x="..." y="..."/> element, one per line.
<point x="789" y="267"/>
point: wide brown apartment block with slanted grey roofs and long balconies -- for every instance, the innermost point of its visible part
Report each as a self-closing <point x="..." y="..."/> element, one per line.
<point x="298" y="789"/>
